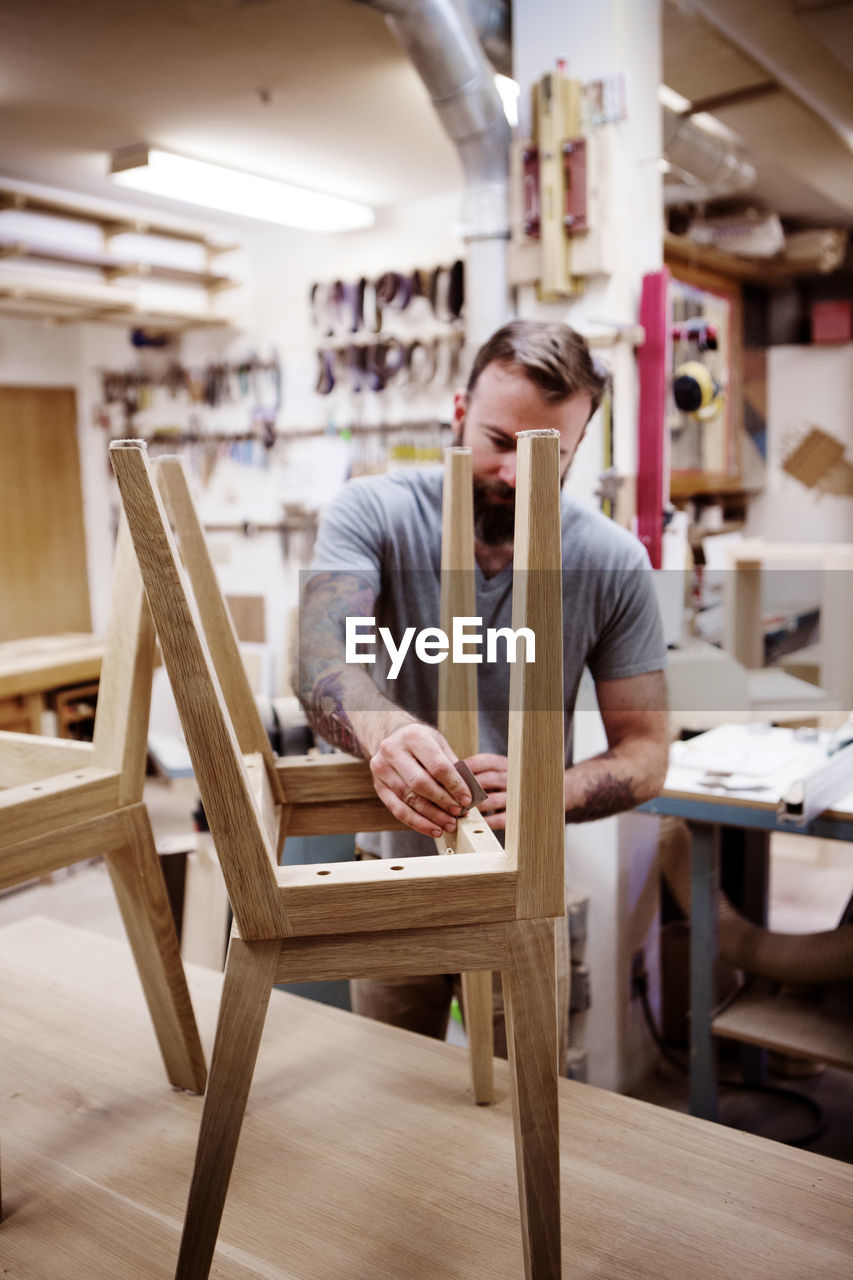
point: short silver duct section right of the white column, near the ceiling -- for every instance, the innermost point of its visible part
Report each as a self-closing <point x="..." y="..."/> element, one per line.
<point x="718" y="170"/>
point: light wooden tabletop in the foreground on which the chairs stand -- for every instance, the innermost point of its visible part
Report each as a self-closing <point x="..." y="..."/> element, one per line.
<point x="362" y="1156"/>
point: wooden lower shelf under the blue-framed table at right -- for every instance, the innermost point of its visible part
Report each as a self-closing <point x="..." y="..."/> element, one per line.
<point x="791" y="1023"/>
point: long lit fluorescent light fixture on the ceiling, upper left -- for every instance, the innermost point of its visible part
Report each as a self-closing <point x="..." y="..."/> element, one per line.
<point x="234" y="193"/>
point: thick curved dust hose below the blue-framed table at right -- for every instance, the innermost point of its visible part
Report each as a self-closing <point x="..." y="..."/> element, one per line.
<point x="806" y="959"/>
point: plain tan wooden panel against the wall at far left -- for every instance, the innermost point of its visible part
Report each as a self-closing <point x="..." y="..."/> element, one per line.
<point x="44" y="586"/>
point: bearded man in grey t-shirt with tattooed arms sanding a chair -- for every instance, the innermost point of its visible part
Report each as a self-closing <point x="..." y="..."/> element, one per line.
<point x="378" y="555"/>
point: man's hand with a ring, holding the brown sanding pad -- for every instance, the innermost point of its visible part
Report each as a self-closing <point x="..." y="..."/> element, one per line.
<point x="414" y="776"/>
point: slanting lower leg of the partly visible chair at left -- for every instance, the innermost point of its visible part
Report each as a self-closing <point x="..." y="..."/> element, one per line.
<point x="140" y="889"/>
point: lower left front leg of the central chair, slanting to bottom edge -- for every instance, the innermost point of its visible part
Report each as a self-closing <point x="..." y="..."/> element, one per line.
<point x="250" y="972"/>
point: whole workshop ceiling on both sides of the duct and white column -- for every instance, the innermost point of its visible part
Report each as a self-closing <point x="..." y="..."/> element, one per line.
<point x="318" y="94"/>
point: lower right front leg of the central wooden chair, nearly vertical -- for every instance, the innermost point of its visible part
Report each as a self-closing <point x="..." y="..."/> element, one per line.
<point x="530" y="996"/>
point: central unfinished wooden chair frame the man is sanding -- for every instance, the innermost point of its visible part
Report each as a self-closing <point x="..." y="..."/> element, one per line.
<point x="490" y="909"/>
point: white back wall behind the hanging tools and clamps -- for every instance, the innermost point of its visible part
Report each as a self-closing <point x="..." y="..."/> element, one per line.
<point x="272" y="316"/>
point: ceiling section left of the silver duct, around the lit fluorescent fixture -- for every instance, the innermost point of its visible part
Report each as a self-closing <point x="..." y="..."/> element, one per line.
<point x="314" y="93"/>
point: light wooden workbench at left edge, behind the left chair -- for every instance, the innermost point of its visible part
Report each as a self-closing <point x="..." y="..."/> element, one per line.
<point x="31" y="669"/>
